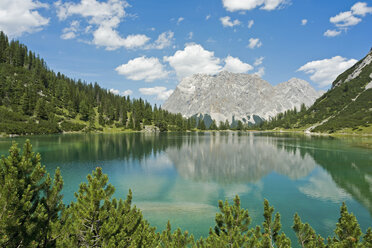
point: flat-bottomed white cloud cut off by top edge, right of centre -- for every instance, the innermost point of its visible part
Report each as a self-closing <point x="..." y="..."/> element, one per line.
<point x="238" y="5"/>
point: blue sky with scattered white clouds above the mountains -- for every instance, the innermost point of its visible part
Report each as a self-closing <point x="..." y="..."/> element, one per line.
<point x="144" y="47"/>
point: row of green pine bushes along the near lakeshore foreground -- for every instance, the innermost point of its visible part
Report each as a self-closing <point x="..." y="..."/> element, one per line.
<point x="32" y="214"/>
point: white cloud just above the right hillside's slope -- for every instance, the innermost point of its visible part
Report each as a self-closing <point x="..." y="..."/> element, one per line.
<point x="324" y="72"/>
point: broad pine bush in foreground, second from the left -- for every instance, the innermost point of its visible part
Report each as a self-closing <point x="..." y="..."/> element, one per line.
<point x="96" y="220"/>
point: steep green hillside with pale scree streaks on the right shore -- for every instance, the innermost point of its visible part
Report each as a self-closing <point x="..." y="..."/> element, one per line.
<point x="346" y="107"/>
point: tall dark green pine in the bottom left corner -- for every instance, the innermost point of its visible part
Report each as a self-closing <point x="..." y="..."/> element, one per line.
<point x="30" y="202"/>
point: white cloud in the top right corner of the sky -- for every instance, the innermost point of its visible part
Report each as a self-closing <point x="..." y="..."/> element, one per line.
<point x="350" y="18"/>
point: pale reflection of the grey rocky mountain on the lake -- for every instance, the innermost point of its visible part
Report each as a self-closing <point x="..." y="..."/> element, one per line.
<point x="233" y="158"/>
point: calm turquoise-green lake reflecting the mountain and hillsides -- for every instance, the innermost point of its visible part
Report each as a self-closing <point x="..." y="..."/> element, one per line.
<point x="181" y="177"/>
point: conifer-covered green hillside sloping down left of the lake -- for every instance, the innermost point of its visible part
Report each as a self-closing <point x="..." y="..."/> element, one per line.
<point x="36" y="100"/>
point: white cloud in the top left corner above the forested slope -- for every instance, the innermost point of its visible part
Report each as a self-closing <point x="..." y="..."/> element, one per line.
<point x="21" y="16"/>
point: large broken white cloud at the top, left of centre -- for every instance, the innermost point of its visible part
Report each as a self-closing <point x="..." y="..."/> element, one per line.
<point x="103" y="19"/>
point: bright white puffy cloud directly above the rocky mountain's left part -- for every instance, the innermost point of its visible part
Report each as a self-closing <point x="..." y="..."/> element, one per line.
<point x="193" y="59"/>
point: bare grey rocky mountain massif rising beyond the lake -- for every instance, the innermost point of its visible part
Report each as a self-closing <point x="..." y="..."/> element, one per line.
<point x="240" y="96"/>
